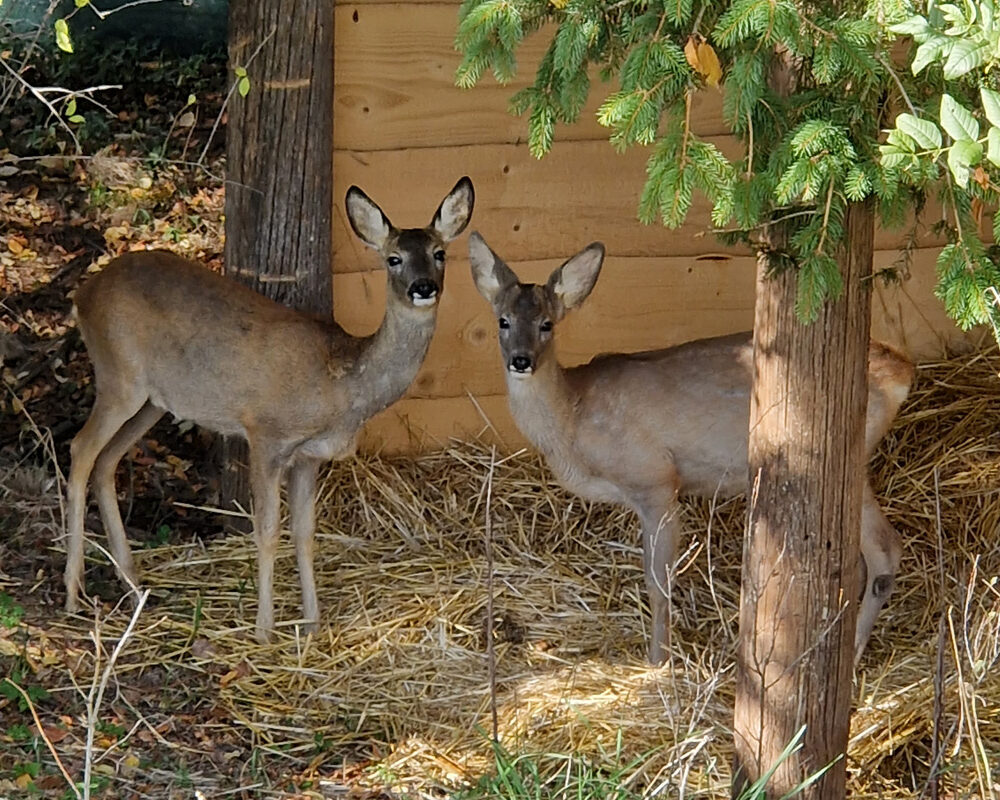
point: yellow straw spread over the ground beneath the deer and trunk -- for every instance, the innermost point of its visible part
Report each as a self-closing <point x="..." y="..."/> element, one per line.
<point x="398" y="673"/>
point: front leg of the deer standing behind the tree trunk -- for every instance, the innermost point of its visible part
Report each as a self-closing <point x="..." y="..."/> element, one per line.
<point x="660" y="525"/>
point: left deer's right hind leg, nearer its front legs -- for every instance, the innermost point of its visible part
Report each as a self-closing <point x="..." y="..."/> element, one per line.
<point x="104" y="488"/>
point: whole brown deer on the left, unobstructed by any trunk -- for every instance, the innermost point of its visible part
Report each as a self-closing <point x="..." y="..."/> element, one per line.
<point x="166" y="334"/>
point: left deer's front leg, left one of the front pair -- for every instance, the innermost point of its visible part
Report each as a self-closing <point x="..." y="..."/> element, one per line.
<point x="265" y="486"/>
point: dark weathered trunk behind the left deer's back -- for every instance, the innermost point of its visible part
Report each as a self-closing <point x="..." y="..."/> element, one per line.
<point x="279" y="168"/>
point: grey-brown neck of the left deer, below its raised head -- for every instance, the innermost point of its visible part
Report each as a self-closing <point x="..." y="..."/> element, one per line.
<point x="390" y="358"/>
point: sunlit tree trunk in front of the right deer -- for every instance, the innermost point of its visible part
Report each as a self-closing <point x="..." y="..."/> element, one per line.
<point x="801" y="553"/>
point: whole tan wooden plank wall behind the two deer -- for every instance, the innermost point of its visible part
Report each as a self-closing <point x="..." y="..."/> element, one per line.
<point x="405" y="134"/>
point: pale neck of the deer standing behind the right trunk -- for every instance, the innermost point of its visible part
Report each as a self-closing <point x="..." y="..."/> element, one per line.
<point x="543" y="405"/>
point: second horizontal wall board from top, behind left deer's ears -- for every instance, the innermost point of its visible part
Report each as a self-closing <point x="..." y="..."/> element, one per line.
<point x="530" y="209"/>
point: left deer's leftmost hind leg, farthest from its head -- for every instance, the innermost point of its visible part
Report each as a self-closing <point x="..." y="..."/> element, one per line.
<point x="106" y="419"/>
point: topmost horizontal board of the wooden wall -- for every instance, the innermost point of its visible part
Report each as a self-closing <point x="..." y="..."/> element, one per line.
<point x="395" y="85"/>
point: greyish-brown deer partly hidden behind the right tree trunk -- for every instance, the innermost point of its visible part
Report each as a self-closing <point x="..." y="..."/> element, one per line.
<point x="640" y="429"/>
